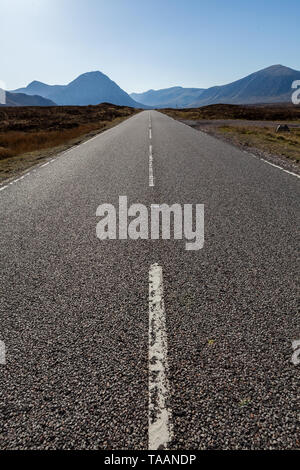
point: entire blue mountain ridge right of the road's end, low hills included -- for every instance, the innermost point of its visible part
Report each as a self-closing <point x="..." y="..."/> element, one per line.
<point x="270" y="85"/>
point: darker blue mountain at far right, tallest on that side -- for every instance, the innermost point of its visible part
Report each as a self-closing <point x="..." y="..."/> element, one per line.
<point x="270" y="85"/>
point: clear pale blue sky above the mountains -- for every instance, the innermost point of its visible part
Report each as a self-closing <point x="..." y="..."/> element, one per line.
<point x="144" y="44"/>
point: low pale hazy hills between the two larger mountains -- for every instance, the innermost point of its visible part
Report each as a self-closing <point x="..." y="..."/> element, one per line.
<point x="168" y="97"/>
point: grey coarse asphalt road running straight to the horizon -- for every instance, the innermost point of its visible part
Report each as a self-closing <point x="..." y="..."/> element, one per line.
<point x="75" y="309"/>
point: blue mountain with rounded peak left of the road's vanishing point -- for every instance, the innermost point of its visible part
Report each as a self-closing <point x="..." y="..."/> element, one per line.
<point x="87" y="89"/>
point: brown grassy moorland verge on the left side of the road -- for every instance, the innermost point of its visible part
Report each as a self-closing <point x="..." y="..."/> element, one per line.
<point x="30" y="135"/>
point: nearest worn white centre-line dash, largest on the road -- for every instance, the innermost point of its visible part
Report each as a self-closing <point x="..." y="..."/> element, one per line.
<point x="160" y="425"/>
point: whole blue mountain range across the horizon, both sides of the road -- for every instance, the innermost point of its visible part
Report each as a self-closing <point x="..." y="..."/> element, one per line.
<point x="270" y="85"/>
